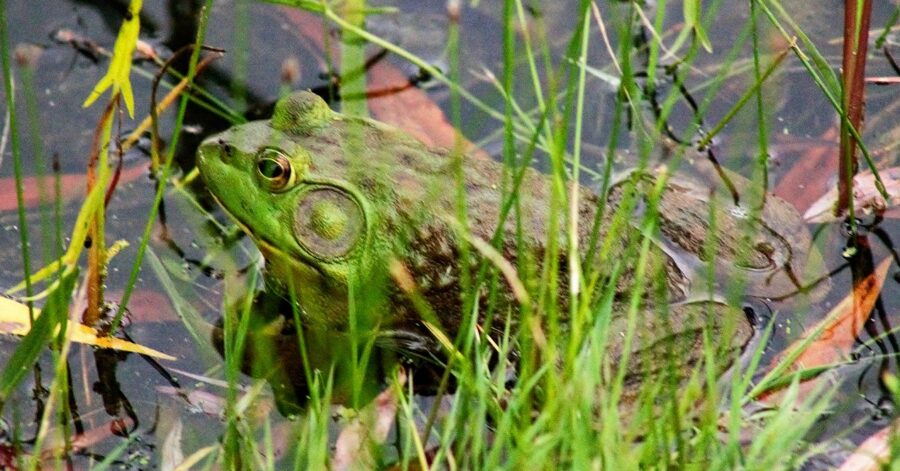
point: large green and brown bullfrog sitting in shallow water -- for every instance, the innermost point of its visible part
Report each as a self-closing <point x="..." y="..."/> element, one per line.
<point x="339" y="204"/>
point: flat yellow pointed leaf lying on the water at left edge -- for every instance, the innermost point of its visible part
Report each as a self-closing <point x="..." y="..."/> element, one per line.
<point x="14" y="320"/>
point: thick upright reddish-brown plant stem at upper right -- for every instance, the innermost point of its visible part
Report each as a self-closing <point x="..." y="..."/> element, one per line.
<point x="856" y="42"/>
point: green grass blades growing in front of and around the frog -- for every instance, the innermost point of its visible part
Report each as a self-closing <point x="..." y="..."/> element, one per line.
<point x="565" y="408"/>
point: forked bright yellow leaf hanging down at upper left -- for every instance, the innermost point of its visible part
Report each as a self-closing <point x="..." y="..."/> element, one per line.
<point x="118" y="74"/>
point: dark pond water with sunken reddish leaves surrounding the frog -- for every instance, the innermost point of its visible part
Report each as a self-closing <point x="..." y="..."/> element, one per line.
<point x="176" y="306"/>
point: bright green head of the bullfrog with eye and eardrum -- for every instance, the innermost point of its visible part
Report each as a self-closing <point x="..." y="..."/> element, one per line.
<point x="277" y="179"/>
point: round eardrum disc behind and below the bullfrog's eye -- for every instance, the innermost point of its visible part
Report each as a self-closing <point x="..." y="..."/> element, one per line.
<point x="328" y="222"/>
